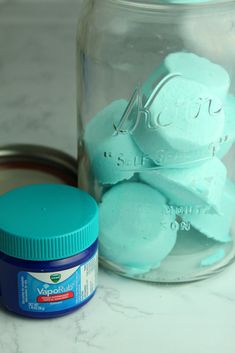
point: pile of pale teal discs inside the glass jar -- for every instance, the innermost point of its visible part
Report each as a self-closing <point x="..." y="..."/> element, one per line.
<point x="163" y="163"/>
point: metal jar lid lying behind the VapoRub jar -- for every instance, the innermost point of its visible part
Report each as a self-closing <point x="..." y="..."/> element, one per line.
<point x="32" y="164"/>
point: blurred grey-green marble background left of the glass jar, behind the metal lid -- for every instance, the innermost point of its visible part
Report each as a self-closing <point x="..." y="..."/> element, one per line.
<point x="37" y="73"/>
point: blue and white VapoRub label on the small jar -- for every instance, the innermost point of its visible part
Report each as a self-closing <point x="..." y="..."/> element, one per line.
<point x="56" y="291"/>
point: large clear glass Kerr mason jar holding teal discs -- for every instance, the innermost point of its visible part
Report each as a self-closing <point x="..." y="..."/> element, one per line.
<point x="156" y="112"/>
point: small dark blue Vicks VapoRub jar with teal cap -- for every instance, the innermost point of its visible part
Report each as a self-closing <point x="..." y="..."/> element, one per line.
<point x="48" y="250"/>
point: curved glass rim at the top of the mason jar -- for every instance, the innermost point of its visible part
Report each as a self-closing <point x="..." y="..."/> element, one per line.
<point x="158" y="6"/>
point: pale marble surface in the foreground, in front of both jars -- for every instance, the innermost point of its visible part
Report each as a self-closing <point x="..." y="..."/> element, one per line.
<point x="131" y="317"/>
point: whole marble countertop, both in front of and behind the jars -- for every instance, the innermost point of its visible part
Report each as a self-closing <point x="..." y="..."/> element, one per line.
<point x="37" y="104"/>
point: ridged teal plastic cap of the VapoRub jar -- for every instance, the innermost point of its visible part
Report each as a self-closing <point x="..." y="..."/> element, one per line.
<point x="47" y="222"/>
